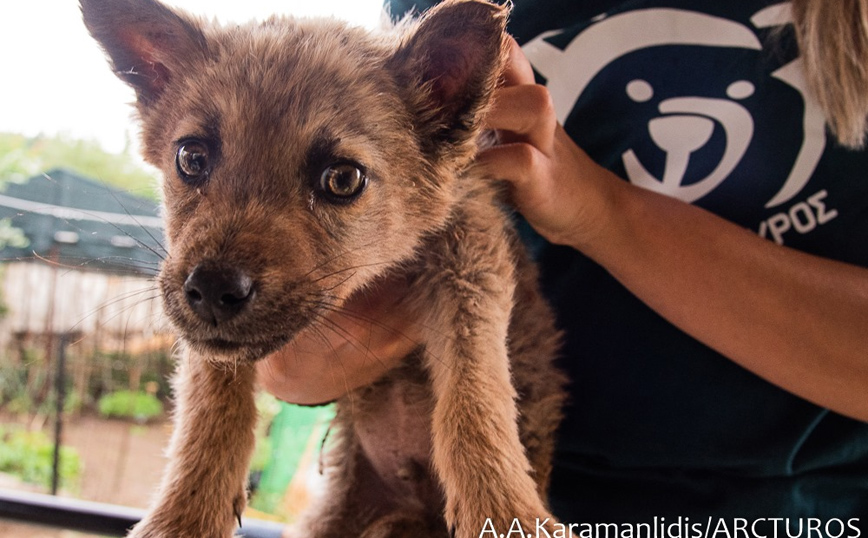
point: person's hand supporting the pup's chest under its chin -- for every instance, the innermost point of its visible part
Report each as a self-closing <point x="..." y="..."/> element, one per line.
<point x="349" y="348"/>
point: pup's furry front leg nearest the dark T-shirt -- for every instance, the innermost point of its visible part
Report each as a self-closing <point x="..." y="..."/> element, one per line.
<point x="477" y="452"/>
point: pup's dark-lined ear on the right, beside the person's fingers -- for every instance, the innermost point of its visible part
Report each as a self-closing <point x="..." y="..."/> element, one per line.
<point x="449" y="67"/>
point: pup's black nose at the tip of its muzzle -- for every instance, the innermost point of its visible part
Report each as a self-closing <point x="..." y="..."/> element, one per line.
<point x="217" y="293"/>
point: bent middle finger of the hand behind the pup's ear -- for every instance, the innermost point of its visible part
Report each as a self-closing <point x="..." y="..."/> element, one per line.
<point x="524" y="114"/>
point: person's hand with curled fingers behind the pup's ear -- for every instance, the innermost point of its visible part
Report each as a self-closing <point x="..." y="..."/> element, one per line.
<point x="562" y="193"/>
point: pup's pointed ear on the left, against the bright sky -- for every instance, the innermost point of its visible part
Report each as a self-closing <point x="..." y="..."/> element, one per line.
<point x="147" y="43"/>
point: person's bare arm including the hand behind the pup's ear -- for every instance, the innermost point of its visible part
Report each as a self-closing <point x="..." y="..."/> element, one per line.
<point x="797" y="320"/>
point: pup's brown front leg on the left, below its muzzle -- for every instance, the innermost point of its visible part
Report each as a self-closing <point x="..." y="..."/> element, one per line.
<point x="204" y="485"/>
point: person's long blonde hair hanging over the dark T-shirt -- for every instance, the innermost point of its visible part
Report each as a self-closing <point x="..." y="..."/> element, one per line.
<point x="833" y="40"/>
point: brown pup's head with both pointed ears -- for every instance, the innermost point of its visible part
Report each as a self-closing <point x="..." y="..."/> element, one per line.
<point x="300" y="158"/>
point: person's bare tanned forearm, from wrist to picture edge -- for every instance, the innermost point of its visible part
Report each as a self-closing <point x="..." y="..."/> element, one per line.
<point x="799" y="321"/>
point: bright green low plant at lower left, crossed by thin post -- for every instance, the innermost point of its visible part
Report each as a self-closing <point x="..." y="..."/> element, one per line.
<point x="30" y="456"/>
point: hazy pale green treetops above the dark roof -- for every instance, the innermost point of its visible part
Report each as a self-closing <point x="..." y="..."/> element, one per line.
<point x="22" y="157"/>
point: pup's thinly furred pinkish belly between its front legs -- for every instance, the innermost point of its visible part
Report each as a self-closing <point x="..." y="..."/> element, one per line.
<point x="393" y="427"/>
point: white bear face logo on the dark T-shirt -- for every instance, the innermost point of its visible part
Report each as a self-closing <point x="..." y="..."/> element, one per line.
<point x="685" y="123"/>
